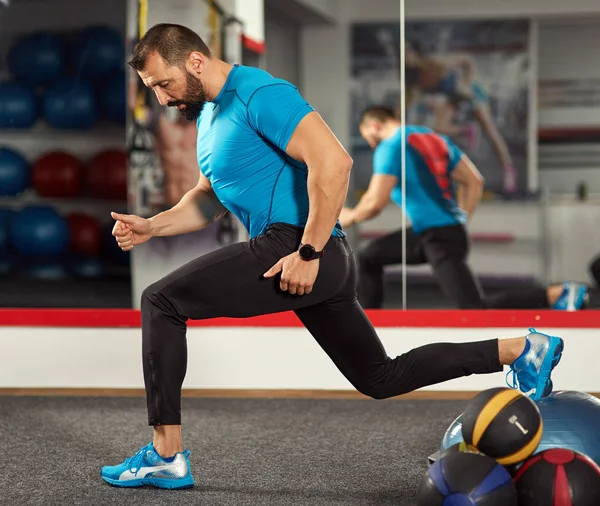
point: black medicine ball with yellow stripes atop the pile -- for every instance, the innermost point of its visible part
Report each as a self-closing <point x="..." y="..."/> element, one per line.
<point x="504" y="424"/>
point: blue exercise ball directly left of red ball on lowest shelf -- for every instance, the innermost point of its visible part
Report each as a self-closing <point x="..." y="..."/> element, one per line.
<point x="39" y="231"/>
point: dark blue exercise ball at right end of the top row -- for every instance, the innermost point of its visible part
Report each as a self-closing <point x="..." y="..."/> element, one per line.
<point x="98" y="51"/>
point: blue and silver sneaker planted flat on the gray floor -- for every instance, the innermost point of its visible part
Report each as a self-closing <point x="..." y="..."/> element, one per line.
<point x="147" y="467"/>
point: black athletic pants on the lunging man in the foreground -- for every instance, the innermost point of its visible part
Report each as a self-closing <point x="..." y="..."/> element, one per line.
<point x="229" y="283"/>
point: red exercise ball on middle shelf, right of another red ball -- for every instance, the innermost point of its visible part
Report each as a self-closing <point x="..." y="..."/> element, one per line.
<point x="107" y="175"/>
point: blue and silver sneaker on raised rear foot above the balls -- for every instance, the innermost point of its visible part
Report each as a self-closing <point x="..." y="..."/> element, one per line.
<point x="532" y="370"/>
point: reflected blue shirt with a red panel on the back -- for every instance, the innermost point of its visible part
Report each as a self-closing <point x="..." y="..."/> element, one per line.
<point x="430" y="159"/>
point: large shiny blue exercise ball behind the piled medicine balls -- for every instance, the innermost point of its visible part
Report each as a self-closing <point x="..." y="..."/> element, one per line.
<point x="571" y="421"/>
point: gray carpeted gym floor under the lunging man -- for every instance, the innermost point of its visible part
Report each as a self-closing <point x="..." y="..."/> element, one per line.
<point x="244" y="452"/>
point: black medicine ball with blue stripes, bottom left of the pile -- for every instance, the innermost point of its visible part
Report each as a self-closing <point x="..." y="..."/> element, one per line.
<point x="466" y="479"/>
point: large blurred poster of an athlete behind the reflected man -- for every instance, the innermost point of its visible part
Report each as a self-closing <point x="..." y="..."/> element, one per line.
<point x="469" y="80"/>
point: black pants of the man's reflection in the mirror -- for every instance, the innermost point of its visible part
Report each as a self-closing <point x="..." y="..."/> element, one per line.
<point x="446" y="249"/>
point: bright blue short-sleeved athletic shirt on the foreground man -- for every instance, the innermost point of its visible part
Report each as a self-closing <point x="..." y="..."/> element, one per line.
<point x="242" y="137"/>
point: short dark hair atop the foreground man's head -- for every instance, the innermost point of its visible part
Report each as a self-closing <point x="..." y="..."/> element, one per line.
<point x="173" y="43"/>
